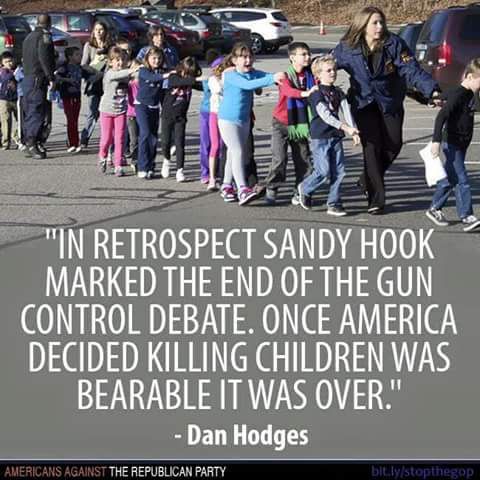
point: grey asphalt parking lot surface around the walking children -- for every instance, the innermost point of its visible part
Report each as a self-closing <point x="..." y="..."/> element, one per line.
<point x="68" y="190"/>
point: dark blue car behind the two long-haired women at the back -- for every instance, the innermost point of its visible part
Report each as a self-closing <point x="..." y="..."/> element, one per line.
<point x="125" y="25"/>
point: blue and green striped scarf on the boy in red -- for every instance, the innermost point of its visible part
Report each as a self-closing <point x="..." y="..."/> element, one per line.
<point x="299" y="113"/>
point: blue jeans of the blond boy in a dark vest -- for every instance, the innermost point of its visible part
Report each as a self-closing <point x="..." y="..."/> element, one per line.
<point x="328" y="162"/>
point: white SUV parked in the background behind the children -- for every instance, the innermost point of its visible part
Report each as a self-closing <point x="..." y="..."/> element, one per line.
<point x="269" y="27"/>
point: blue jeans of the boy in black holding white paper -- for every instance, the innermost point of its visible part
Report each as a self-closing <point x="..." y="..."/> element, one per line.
<point x="456" y="178"/>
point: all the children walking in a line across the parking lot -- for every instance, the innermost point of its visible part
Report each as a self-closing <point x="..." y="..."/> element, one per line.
<point x="307" y="117"/>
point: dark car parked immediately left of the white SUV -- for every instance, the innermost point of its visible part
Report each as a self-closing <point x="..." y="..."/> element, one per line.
<point x="206" y="25"/>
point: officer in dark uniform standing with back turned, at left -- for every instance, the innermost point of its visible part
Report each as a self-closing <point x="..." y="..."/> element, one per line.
<point x="39" y="67"/>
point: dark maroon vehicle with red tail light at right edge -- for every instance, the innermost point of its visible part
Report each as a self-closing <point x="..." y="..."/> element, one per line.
<point x="449" y="39"/>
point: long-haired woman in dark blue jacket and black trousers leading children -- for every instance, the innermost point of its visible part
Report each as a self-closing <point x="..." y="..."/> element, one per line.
<point x="380" y="66"/>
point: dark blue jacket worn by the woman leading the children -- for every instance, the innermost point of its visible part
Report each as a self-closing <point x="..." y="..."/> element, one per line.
<point x="388" y="84"/>
